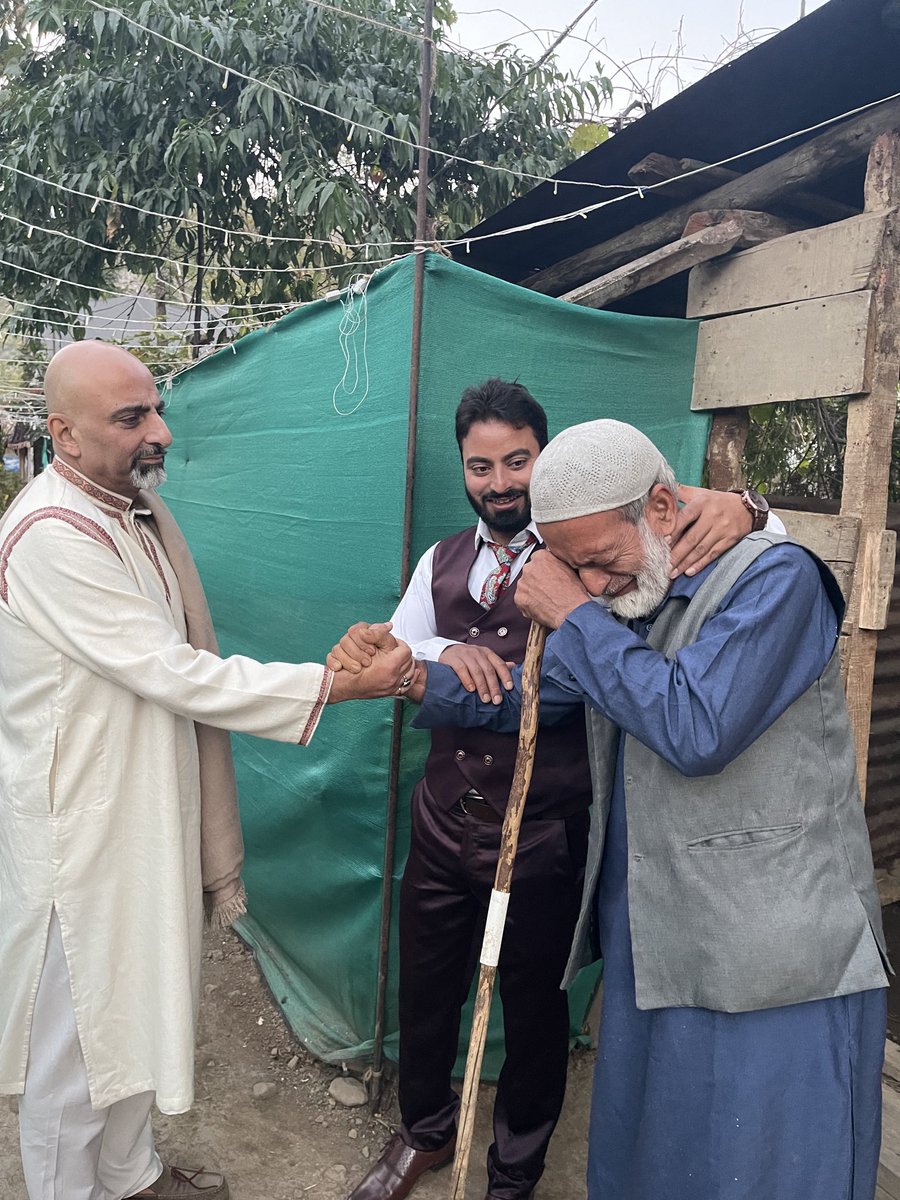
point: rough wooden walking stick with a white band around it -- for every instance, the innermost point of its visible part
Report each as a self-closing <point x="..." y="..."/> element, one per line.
<point x="500" y="902"/>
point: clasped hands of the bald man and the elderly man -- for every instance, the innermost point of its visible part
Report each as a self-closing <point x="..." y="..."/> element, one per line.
<point x="370" y="662"/>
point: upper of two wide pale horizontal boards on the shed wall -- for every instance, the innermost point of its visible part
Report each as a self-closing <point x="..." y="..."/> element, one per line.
<point x="801" y="267"/>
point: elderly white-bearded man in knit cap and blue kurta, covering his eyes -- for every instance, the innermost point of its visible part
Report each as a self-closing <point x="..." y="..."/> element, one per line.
<point x="729" y="877"/>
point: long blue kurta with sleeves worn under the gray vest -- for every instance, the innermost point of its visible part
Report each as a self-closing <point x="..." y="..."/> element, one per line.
<point x="693" y="1105"/>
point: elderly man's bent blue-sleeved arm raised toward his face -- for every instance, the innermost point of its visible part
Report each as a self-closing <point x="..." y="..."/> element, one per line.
<point x="771" y="639"/>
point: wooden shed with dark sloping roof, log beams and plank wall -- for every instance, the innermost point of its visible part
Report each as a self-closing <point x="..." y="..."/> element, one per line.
<point x="788" y="254"/>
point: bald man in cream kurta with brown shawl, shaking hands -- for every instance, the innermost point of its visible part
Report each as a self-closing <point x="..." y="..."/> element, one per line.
<point x="118" y="812"/>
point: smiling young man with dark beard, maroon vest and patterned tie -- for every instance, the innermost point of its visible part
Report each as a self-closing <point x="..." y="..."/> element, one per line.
<point x="460" y="610"/>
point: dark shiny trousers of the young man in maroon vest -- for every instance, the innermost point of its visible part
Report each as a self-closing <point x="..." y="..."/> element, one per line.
<point x="443" y="903"/>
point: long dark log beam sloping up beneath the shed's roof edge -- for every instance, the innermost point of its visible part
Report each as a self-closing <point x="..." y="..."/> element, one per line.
<point x="821" y="157"/>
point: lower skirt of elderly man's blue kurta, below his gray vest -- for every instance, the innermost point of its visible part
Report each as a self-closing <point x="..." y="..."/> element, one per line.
<point x="691" y="1105"/>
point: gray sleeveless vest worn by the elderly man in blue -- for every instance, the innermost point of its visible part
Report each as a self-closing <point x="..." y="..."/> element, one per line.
<point x="752" y="889"/>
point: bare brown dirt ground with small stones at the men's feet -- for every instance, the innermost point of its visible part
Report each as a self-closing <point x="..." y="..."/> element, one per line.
<point x="296" y="1142"/>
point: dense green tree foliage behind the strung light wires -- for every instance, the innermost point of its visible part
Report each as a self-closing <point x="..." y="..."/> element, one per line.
<point x="91" y="101"/>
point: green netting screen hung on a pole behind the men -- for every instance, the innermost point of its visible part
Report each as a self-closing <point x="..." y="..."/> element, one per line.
<point x="296" y="513"/>
